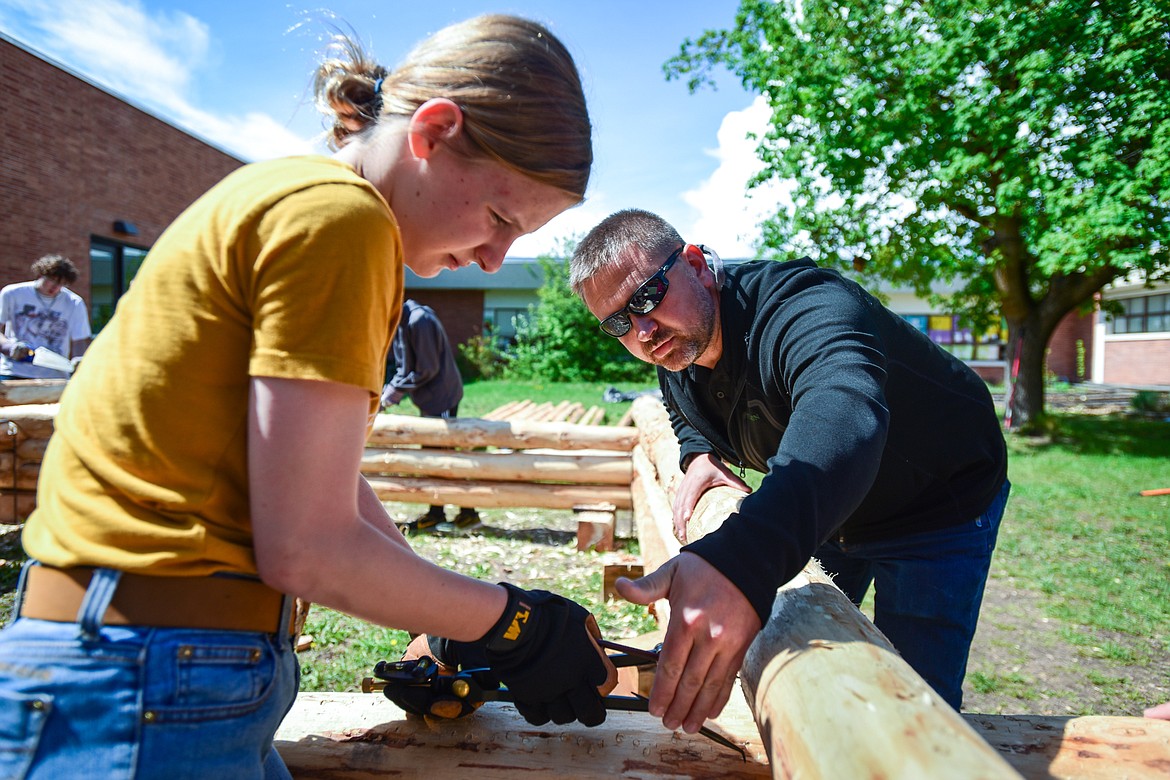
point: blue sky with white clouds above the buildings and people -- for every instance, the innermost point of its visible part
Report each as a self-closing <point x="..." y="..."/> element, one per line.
<point x="238" y="75"/>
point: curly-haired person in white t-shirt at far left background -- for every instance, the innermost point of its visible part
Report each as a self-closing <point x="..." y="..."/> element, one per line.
<point x="44" y="313"/>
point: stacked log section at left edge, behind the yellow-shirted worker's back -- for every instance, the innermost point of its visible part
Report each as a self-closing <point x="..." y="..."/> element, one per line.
<point x="25" y="433"/>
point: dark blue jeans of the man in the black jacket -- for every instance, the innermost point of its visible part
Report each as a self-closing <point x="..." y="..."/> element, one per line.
<point x="927" y="592"/>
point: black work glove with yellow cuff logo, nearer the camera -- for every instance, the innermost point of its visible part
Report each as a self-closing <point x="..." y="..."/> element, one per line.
<point x="541" y="648"/>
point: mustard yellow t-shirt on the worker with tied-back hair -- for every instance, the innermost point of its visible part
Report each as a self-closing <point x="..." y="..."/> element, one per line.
<point x="290" y="268"/>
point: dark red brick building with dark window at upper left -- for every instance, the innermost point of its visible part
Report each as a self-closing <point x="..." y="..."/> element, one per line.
<point x="87" y="175"/>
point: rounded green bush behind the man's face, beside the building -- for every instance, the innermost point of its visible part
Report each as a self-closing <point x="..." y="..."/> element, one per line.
<point x="560" y="341"/>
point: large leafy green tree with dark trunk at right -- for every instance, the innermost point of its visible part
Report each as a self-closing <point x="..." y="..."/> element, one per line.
<point x="1016" y="149"/>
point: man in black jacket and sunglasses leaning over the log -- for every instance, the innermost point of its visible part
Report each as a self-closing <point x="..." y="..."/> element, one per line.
<point x="883" y="454"/>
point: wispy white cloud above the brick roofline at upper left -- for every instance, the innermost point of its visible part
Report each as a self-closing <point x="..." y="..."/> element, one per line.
<point x="152" y="59"/>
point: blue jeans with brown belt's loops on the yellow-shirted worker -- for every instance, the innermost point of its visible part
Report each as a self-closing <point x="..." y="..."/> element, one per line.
<point x="91" y="701"/>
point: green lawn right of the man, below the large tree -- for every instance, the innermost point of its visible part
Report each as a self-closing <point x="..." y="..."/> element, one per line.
<point x="1078" y="528"/>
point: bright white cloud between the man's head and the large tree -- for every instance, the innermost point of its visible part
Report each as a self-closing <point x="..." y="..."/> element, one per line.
<point x="728" y="215"/>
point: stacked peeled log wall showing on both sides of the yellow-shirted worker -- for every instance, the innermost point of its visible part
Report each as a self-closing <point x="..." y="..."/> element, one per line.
<point x="533" y="464"/>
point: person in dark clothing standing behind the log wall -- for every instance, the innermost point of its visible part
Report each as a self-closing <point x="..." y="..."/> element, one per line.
<point x="426" y="371"/>
